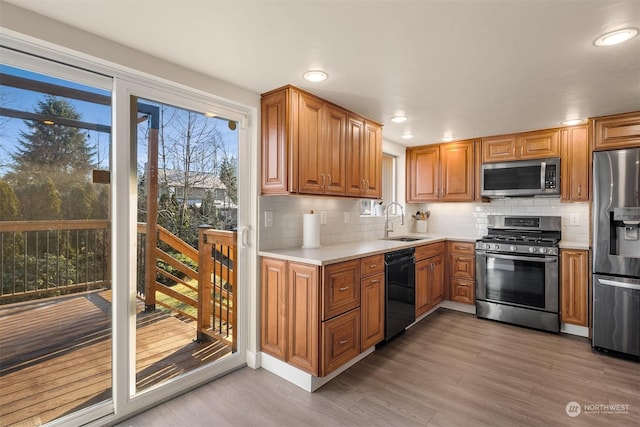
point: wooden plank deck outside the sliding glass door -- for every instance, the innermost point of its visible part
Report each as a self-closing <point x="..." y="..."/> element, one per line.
<point x="55" y="355"/>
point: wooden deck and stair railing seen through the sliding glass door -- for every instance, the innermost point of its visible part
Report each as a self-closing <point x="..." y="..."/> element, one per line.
<point x="48" y="258"/>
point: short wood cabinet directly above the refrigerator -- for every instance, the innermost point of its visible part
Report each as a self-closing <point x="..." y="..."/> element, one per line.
<point x="616" y="131"/>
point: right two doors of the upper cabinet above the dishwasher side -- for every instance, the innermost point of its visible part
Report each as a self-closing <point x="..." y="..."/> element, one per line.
<point x="364" y="158"/>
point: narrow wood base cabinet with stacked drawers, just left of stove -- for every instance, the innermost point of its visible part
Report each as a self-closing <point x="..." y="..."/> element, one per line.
<point x="462" y="271"/>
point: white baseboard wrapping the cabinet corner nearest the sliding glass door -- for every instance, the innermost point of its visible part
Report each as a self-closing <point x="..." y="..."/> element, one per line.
<point x="302" y="379"/>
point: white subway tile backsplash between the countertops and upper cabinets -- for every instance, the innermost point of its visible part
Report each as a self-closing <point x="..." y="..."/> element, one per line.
<point x="465" y="220"/>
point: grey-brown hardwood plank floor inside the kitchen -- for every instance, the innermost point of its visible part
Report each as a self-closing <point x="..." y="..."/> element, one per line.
<point x="451" y="369"/>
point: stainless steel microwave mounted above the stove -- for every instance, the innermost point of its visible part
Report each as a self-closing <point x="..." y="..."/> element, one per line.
<point x="540" y="177"/>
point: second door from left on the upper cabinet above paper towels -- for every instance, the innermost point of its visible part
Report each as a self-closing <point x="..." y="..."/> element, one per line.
<point x="334" y="151"/>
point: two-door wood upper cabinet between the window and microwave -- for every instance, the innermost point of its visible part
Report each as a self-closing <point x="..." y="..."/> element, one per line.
<point x="441" y="172"/>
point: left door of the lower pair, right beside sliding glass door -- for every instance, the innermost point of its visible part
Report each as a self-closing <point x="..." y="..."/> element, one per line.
<point x="273" y="313"/>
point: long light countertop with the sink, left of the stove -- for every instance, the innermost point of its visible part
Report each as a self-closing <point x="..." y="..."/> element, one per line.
<point x="331" y="254"/>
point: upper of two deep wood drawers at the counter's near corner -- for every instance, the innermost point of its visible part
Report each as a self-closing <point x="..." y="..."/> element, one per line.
<point x="340" y="288"/>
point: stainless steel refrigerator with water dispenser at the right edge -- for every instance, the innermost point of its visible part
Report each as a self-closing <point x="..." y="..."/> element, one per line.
<point x="616" y="251"/>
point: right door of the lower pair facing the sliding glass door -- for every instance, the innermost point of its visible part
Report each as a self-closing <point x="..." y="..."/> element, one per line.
<point x="302" y="310"/>
